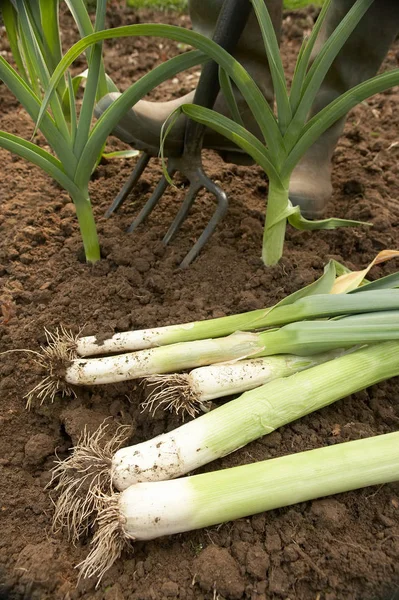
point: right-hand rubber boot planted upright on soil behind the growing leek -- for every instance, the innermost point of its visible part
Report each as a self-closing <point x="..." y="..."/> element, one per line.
<point x="359" y="59"/>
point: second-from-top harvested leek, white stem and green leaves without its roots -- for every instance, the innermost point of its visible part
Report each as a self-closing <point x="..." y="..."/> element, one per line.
<point x="302" y="338"/>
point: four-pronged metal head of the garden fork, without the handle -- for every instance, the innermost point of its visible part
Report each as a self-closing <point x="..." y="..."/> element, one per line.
<point x="191" y="168"/>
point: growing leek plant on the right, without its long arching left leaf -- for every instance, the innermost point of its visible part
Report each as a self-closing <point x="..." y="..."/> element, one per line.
<point x="287" y="135"/>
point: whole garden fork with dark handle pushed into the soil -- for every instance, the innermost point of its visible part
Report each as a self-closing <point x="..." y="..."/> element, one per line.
<point x="231" y="23"/>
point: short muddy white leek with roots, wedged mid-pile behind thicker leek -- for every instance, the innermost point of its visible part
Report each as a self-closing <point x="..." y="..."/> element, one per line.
<point x="191" y="392"/>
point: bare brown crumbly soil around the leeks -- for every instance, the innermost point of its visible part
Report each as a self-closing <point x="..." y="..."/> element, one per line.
<point x="345" y="547"/>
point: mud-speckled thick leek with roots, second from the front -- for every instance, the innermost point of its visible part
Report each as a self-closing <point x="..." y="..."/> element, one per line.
<point x="227" y="428"/>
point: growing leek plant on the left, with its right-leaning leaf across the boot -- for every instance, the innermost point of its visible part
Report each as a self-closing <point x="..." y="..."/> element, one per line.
<point x="75" y="147"/>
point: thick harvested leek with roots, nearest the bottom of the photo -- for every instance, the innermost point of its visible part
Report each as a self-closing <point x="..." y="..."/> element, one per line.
<point x="149" y="510"/>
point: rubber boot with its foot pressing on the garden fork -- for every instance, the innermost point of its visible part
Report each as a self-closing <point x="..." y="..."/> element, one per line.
<point x="141" y="126"/>
